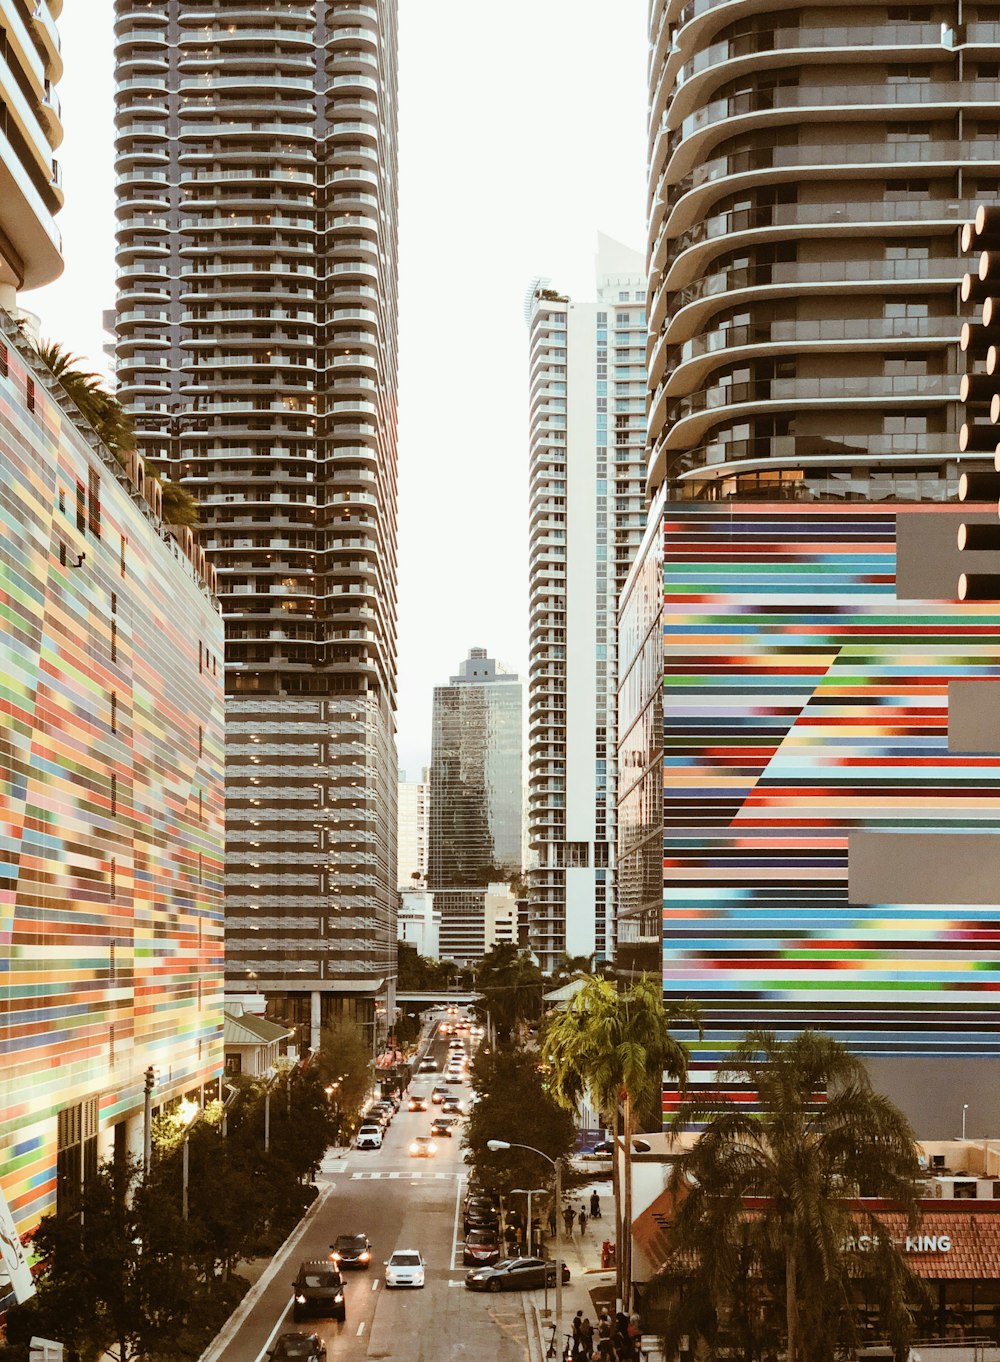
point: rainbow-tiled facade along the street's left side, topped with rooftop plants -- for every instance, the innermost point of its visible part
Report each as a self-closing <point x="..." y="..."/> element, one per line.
<point x="111" y="797"/>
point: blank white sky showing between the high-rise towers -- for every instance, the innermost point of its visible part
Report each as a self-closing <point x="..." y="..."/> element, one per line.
<point x="522" y="134"/>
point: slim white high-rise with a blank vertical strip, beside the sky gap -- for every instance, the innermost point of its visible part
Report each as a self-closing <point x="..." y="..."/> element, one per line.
<point x="588" y="431"/>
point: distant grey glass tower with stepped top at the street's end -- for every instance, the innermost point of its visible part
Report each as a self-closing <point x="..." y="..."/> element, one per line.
<point x="476" y="778"/>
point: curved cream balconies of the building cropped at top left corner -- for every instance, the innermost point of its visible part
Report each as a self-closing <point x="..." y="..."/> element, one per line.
<point x="31" y="180"/>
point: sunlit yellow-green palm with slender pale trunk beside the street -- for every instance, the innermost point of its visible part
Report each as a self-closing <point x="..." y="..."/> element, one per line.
<point x="616" y="1047"/>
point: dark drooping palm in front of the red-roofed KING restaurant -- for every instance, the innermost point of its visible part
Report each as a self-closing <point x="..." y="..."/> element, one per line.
<point x="819" y="1139"/>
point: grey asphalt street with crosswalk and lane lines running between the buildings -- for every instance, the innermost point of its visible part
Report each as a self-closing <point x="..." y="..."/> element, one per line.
<point x="401" y="1203"/>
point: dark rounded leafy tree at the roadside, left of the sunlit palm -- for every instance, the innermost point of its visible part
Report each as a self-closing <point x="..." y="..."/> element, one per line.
<point x="514" y="1105"/>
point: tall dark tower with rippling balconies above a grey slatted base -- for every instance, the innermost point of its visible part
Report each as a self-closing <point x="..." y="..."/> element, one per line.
<point x="257" y="348"/>
